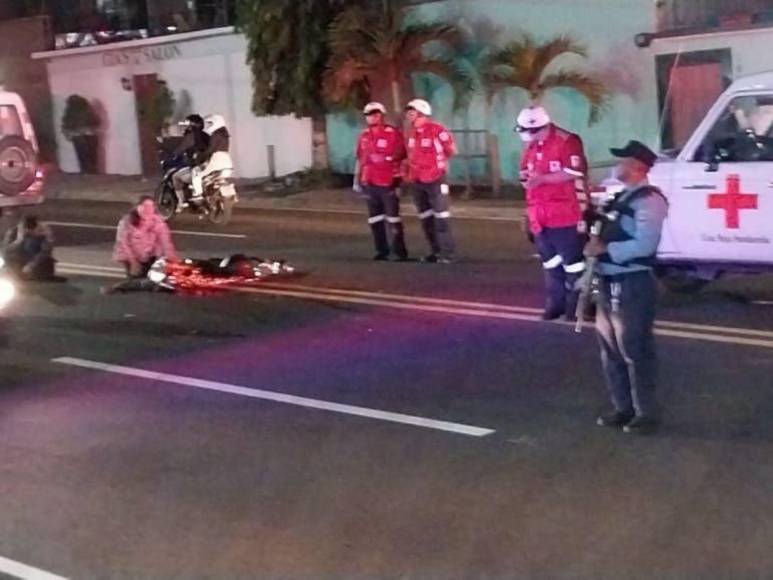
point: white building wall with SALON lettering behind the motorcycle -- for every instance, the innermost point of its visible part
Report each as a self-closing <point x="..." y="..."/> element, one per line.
<point x="207" y="73"/>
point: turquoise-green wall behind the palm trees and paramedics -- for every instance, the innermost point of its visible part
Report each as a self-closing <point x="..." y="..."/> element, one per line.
<point x="606" y="27"/>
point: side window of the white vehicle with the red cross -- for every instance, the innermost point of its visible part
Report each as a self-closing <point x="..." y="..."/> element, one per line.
<point x="743" y="133"/>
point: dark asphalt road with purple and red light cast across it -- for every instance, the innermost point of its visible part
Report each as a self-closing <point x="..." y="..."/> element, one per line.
<point x="369" y="420"/>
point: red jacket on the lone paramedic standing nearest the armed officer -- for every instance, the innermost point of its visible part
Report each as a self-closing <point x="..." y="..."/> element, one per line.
<point x="555" y="205"/>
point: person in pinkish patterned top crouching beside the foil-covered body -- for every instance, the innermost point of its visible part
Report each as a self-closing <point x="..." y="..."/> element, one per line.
<point x="141" y="239"/>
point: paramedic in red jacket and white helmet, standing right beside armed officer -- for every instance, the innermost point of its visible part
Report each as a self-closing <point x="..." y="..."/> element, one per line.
<point x="553" y="169"/>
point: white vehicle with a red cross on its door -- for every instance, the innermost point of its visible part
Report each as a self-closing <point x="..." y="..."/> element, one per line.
<point x="720" y="190"/>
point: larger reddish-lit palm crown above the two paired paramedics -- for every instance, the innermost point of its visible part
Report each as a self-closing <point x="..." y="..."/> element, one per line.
<point x="375" y="50"/>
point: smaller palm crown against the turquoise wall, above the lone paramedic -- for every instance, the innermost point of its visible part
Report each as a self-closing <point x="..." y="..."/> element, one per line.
<point x="524" y="63"/>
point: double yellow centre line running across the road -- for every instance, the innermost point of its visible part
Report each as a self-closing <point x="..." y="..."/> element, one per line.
<point x="673" y="329"/>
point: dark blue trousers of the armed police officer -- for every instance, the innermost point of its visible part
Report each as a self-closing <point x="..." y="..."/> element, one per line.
<point x="624" y="322"/>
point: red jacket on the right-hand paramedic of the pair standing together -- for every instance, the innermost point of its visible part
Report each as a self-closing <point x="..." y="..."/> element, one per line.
<point x="429" y="149"/>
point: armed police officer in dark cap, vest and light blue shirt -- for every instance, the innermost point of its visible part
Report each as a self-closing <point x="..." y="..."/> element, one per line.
<point x="625" y="313"/>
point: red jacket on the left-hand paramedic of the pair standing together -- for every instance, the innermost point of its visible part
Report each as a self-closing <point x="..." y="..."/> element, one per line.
<point x="380" y="149"/>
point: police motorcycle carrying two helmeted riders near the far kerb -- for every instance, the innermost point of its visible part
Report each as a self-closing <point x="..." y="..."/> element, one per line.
<point x="219" y="192"/>
